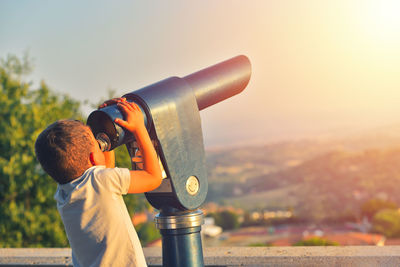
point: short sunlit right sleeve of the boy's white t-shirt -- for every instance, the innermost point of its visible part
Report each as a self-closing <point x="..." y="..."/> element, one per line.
<point x="116" y="180"/>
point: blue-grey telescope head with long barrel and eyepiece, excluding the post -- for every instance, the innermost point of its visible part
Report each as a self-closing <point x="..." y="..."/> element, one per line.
<point x="171" y="109"/>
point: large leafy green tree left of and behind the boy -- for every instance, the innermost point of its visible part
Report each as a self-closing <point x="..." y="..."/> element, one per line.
<point x="28" y="215"/>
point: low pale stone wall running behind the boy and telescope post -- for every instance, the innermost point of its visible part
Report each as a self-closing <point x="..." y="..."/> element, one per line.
<point x="230" y="256"/>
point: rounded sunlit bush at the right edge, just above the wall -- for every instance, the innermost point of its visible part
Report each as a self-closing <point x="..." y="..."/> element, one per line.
<point x="387" y="222"/>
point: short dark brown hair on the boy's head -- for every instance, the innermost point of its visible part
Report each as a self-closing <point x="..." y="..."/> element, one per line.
<point x="63" y="150"/>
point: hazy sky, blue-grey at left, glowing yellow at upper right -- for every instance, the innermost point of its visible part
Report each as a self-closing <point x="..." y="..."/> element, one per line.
<point x="318" y="67"/>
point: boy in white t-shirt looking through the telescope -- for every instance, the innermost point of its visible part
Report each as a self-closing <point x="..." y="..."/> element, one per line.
<point x="90" y="188"/>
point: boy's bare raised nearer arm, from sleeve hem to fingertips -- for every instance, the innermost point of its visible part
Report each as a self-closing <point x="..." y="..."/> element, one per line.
<point x="150" y="177"/>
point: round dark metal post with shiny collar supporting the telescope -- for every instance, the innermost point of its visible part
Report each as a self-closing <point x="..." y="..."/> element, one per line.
<point x="181" y="240"/>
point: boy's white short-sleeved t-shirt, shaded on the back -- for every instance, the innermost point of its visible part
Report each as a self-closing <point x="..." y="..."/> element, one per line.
<point x="97" y="223"/>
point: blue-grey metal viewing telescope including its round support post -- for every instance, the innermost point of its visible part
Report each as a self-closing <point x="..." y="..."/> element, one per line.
<point x="171" y="110"/>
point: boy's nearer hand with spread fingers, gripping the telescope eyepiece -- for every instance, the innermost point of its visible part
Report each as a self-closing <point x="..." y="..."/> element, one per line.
<point x="133" y="116"/>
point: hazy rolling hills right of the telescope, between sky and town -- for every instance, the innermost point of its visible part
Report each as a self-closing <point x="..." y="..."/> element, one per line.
<point x="320" y="179"/>
